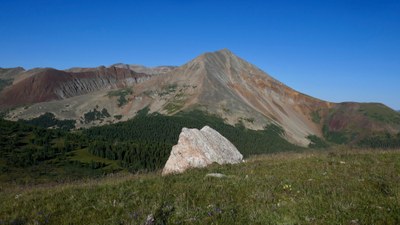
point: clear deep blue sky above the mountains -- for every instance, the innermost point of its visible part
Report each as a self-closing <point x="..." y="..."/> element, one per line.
<point x="334" y="50"/>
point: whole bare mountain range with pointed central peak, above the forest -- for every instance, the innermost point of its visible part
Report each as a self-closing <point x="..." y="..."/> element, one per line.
<point x="219" y="83"/>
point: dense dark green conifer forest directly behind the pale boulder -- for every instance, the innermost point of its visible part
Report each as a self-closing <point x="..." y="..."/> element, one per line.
<point x="160" y="129"/>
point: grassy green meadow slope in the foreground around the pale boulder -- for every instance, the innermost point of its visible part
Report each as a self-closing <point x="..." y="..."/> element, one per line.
<point x="335" y="187"/>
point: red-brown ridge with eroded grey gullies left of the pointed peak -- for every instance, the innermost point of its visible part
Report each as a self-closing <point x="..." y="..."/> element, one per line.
<point x="51" y="84"/>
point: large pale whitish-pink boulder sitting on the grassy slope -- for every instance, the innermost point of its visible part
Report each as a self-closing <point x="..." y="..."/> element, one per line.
<point x="199" y="148"/>
